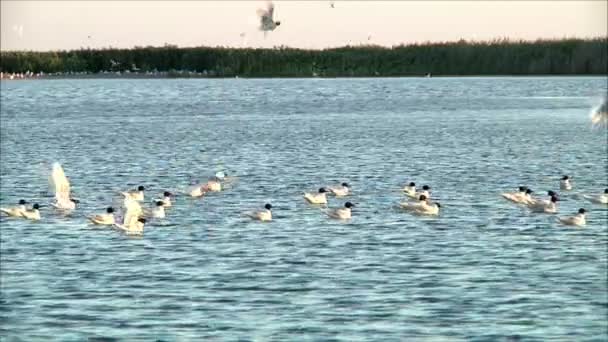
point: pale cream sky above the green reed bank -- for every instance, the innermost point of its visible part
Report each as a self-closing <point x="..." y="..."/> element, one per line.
<point x="55" y="25"/>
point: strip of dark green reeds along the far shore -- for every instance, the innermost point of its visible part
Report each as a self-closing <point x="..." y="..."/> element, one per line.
<point x="498" y="57"/>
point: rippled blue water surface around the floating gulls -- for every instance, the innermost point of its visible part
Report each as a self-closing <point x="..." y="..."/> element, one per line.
<point x="483" y="270"/>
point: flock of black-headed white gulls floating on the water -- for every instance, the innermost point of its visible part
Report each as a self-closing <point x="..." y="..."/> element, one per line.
<point x="417" y="201"/>
